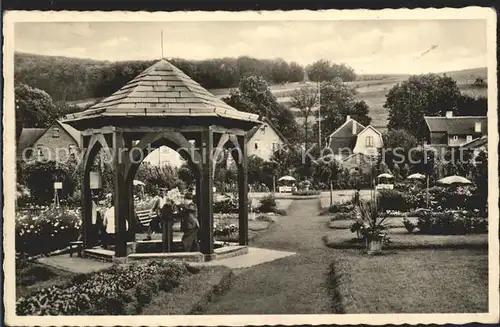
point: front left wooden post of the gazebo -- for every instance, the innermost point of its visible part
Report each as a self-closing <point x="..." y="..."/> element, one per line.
<point x="121" y="201"/>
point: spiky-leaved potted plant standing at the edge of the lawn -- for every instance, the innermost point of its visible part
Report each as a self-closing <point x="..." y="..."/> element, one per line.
<point x="371" y="226"/>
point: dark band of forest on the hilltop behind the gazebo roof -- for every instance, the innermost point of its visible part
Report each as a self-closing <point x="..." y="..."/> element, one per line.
<point x="70" y="79"/>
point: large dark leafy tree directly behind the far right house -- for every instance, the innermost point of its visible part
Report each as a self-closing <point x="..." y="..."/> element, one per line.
<point x="419" y="96"/>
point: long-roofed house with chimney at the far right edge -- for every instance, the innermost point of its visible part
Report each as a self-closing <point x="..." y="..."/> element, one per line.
<point x="455" y="131"/>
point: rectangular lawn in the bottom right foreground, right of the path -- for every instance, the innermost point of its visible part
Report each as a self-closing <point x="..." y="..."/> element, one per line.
<point x="422" y="281"/>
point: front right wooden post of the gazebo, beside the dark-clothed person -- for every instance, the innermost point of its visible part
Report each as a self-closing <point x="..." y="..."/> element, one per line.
<point x="207" y="243"/>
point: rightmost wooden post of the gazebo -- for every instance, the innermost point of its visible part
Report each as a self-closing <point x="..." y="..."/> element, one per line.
<point x="243" y="191"/>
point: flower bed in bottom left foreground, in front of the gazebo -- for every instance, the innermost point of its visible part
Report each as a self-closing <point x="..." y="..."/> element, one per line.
<point x="115" y="291"/>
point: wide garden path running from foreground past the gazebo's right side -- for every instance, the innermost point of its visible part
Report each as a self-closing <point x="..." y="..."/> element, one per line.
<point x="291" y="285"/>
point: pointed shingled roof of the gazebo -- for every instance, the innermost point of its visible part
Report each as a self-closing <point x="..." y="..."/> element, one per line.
<point x="162" y="90"/>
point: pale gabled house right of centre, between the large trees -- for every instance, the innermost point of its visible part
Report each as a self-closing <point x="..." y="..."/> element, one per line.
<point x="352" y="139"/>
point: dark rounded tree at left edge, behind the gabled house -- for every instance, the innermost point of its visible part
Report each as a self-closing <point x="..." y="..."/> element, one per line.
<point x="34" y="108"/>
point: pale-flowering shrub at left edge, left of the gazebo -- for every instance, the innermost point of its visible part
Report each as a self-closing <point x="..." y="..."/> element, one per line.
<point x="43" y="233"/>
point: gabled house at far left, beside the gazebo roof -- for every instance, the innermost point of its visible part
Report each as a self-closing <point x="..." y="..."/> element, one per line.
<point x="56" y="142"/>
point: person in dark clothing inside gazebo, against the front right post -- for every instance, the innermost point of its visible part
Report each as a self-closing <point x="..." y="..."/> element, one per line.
<point x="190" y="225"/>
